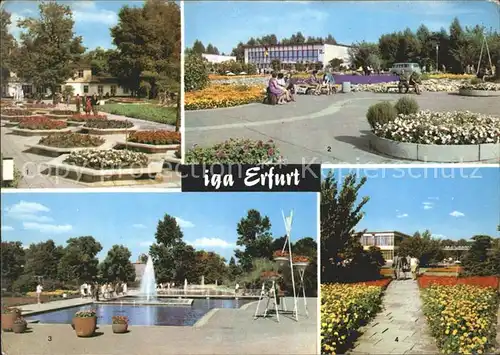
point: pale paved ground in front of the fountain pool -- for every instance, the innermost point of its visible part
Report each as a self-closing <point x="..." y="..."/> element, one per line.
<point x="221" y="331"/>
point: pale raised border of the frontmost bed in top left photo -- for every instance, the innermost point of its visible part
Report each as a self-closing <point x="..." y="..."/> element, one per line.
<point x="57" y="167"/>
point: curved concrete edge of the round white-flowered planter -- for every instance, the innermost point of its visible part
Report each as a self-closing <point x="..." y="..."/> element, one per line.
<point x="435" y="153"/>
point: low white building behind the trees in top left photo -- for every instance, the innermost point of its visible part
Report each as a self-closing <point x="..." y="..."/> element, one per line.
<point x="83" y="83"/>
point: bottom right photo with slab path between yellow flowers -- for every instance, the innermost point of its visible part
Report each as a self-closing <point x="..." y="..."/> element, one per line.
<point x="410" y="260"/>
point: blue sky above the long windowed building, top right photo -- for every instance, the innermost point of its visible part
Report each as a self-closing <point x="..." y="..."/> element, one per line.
<point x="224" y="24"/>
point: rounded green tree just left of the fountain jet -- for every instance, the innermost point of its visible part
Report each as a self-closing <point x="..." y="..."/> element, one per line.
<point x="117" y="265"/>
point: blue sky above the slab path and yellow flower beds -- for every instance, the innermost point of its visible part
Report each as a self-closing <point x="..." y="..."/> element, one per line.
<point x="451" y="203"/>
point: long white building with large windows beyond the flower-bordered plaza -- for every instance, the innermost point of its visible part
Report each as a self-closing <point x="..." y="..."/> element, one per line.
<point x="262" y="56"/>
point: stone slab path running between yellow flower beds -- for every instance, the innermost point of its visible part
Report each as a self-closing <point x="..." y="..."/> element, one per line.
<point x="401" y="327"/>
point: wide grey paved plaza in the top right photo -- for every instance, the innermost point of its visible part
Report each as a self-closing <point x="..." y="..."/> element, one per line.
<point x="317" y="129"/>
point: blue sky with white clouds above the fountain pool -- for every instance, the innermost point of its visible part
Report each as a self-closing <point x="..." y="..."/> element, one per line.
<point x="208" y="220"/>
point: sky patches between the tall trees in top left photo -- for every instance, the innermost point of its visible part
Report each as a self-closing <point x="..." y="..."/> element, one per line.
<point x="93" y="19"/>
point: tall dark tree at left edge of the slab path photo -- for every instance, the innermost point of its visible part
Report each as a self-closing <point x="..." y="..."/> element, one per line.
<point x="340" y="213"/>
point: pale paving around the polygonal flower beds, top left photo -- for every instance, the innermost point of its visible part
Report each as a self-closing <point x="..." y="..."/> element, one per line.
<point x="31" y="164"/>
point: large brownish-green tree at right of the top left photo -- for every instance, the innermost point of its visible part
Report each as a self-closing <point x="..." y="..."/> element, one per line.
<point x="148" y="47"/>
